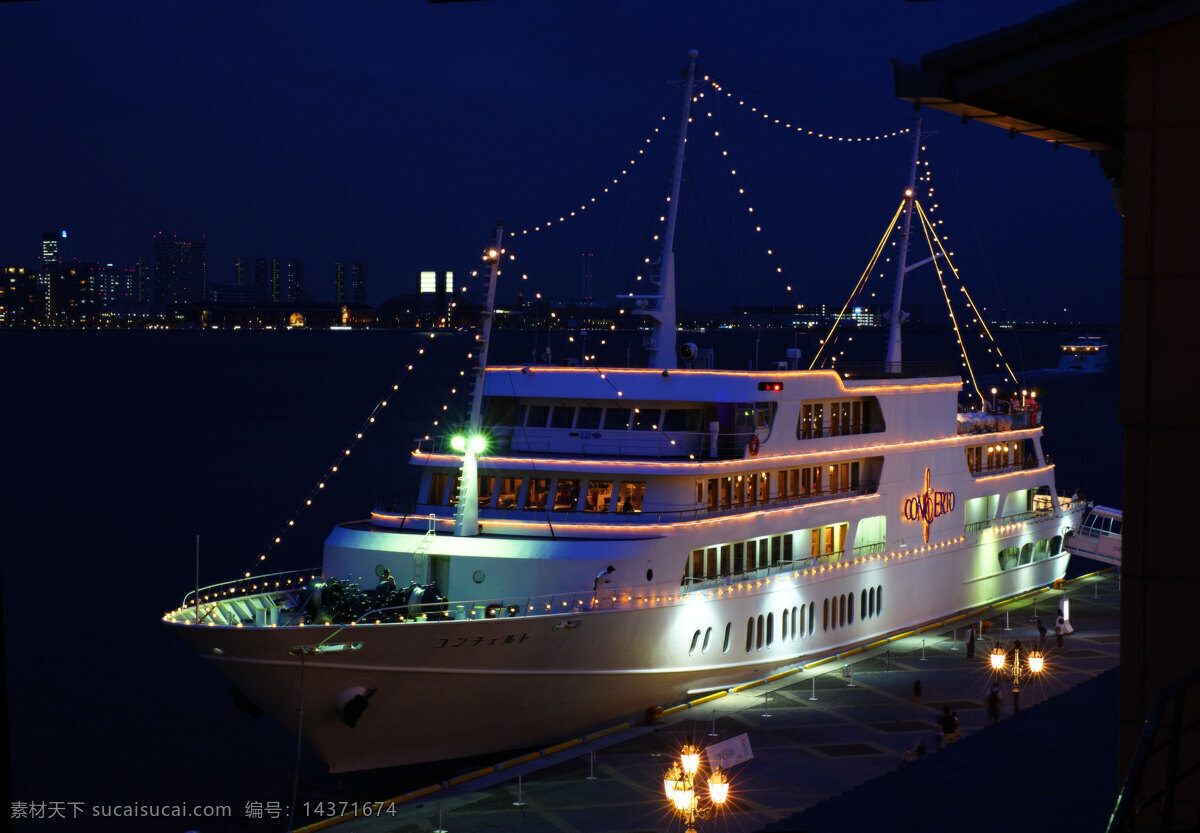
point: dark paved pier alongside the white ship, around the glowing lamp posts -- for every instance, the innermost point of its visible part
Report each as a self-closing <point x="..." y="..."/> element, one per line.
<point x="830" y="742"/>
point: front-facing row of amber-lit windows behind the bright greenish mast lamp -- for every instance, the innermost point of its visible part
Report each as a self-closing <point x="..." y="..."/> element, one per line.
<point x="543" y="494"/>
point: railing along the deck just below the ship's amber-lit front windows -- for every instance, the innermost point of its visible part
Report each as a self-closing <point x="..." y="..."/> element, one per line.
<point x="412" y="512"/>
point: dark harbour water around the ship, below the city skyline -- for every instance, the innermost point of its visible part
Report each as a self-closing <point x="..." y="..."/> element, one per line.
<point x="123" y="447"/>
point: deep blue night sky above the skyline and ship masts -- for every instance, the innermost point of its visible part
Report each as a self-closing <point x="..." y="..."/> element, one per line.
<point x="398" y="134"/>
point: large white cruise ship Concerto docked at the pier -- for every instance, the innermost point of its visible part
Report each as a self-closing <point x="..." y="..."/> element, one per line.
<point x="596" y="543"/>
